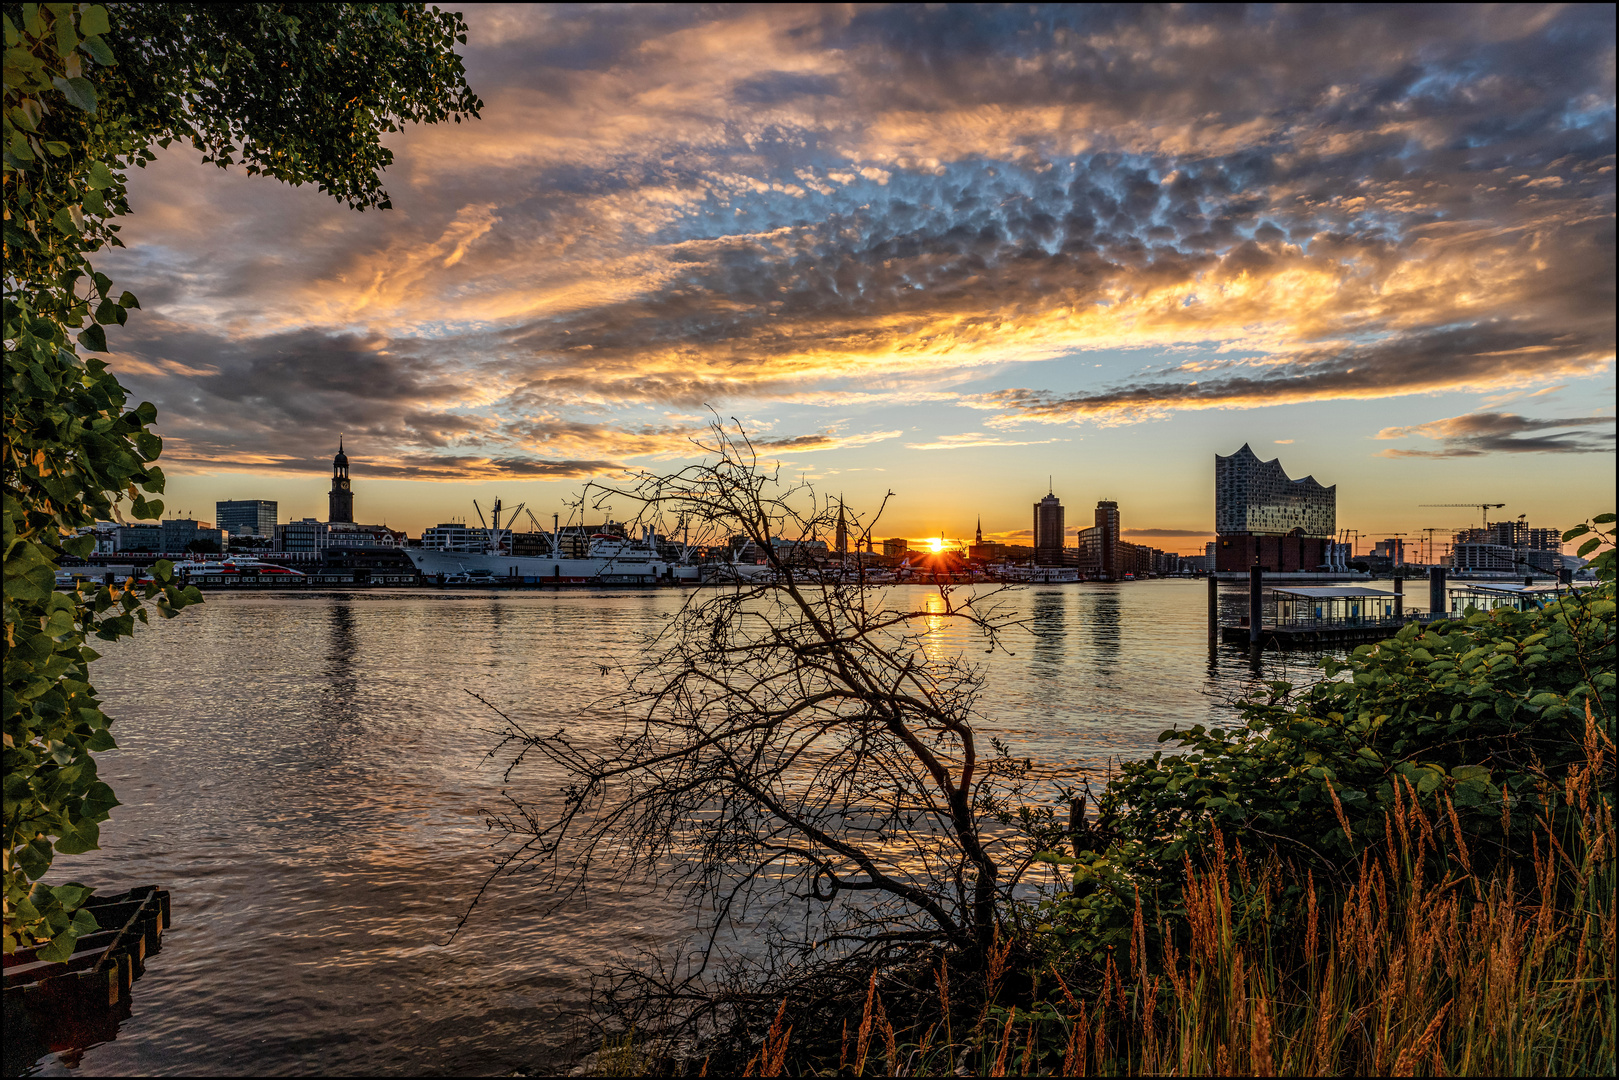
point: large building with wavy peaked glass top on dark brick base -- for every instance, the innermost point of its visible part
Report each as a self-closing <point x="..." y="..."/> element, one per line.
<point x="1267" y="519"/>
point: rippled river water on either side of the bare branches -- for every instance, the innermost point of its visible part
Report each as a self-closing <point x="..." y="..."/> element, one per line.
<point x="307" y="775"/>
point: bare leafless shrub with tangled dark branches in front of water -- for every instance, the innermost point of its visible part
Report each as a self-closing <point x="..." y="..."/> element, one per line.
<point x="793" y="746"/>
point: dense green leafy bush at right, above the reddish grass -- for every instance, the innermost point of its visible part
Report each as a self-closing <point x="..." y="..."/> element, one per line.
<point x="1476" y="720"/>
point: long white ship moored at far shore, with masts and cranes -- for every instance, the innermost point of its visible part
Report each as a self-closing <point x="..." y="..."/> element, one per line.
<point x="610" y="559"/>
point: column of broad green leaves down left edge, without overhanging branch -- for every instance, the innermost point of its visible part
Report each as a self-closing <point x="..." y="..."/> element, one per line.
<point x="72" y="454"/>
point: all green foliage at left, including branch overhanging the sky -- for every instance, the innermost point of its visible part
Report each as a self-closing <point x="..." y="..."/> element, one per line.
<point x="299" y="91"/>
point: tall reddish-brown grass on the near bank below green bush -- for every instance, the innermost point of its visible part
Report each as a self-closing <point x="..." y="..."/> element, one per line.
<point x="1419" y="967"/>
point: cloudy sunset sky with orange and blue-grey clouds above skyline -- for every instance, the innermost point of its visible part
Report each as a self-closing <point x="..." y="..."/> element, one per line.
<point x="954" y="253"/>
